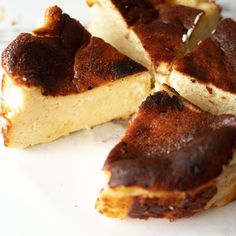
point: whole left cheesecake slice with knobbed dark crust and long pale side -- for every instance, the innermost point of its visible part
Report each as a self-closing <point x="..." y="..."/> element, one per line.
<point x="60" y="79"/>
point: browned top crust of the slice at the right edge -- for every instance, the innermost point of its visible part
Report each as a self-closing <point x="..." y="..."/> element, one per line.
<point x="214" y="60"/>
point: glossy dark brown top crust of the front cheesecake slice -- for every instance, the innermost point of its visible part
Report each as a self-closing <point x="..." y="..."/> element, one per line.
<point x="172" y="145"/>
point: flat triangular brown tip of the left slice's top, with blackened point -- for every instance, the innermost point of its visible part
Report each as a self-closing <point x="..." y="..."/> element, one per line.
<point x="99" y="63"/>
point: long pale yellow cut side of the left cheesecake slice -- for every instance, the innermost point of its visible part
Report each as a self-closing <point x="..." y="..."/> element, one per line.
<point x="33" y="118"/>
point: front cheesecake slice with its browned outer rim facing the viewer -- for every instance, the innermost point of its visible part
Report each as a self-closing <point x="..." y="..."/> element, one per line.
<point x="174" y="160"/>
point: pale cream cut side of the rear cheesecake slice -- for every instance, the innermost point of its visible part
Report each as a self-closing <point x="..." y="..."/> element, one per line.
<point x="108" y="24"/>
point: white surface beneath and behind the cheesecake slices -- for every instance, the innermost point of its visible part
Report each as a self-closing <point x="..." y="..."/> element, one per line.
<point x="51" y="189"/>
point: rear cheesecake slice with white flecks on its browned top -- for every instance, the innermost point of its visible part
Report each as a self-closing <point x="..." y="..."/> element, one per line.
<point x="154" y="32"/>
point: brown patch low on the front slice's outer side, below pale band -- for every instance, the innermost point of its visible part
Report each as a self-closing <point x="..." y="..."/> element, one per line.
<point x="171" y="208"/>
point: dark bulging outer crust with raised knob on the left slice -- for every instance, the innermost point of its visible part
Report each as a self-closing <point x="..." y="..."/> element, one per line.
<point x="46" y="58"/>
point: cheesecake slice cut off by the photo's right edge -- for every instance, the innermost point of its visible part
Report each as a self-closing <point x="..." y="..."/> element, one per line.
<point x="207" y="75"/>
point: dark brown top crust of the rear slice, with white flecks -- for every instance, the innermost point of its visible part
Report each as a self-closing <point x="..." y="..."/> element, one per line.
<point x="159" y="25"/>
